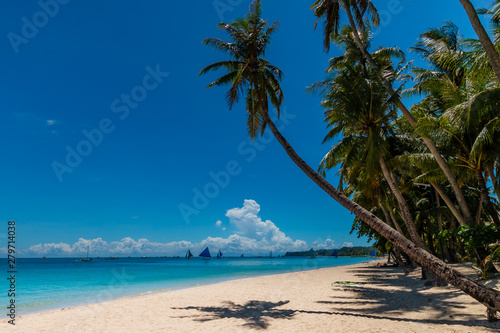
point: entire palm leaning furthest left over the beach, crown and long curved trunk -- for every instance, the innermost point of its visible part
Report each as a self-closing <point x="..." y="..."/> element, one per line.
<point x="250" y="38"/>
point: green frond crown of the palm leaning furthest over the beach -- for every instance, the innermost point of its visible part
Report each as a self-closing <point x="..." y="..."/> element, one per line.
<point x="248" y="73"/>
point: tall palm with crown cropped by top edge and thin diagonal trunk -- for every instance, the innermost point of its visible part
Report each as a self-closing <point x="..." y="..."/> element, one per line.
<point x="328" y="9"/>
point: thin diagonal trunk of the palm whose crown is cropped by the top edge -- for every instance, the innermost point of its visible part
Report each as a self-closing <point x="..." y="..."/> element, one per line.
<point x="429" y="143"/>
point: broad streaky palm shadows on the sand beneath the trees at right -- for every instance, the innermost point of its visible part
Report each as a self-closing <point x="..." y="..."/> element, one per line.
<point x="407" y="297"/>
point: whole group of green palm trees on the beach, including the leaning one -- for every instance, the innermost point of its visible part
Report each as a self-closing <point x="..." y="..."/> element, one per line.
<point x="416" y="178"/>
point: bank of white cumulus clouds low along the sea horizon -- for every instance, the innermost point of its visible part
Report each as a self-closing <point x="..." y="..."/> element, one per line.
<point x="252" y="236"/>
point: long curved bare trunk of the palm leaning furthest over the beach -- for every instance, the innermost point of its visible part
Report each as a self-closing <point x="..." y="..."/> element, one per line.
<point x="485" y="295"/>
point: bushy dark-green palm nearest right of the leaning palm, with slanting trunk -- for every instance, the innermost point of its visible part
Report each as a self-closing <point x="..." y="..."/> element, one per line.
<point x="359" y="108"/>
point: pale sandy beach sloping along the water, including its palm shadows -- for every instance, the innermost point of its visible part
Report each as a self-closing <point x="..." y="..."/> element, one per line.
<point x="385" y="301"/>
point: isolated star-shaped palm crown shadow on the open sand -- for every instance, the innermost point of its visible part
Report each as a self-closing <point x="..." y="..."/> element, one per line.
<point x="256" y="314"/>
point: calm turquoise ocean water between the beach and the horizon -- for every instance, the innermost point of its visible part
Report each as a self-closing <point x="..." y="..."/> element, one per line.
<point x="44" y="284"/>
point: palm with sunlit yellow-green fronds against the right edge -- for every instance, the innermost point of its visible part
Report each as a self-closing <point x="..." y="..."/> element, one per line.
<point x="470" y="121"/>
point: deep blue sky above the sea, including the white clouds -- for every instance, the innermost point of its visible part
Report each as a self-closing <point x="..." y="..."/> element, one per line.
<point x="71" y="74"/>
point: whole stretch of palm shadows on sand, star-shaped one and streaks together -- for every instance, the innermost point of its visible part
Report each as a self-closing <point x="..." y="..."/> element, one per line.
<point x="376" y="302"/>
